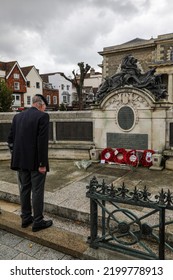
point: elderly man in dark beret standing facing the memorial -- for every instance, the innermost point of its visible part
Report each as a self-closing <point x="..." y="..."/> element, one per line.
<point x="28" y="142"/>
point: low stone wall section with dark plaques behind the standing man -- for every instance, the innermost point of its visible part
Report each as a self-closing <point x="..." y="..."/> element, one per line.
<point x="67" y="149"/>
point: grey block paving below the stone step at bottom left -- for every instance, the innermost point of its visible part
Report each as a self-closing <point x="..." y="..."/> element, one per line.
<point x="13" y="247"/>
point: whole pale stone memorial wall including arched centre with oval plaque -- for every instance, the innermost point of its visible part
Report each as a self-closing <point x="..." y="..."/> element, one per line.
<point x="128" y="112"/>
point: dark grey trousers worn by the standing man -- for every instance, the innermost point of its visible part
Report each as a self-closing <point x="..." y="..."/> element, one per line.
<point x="32" y="194"/>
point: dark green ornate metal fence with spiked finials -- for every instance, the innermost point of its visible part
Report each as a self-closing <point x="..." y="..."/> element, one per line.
<point x="134" y="222"/>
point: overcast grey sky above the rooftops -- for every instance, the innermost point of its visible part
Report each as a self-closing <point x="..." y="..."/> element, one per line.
<point x="54" y="35"/>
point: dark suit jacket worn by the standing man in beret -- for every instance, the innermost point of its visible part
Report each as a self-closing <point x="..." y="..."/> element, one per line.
<point x="28" y="140"/>
